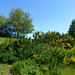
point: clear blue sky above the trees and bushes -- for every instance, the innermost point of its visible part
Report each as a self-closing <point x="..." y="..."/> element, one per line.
<point x="53" y="15"/>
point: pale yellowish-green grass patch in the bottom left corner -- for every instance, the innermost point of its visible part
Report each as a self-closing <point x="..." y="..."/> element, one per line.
<point x="5" y="69"/>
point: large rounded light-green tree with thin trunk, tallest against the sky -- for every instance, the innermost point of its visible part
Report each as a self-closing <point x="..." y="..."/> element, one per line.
<point x="20" y="22"/>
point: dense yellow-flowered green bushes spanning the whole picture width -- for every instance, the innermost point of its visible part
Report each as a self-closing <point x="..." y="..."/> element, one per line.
<point x="43" y="55"/>
